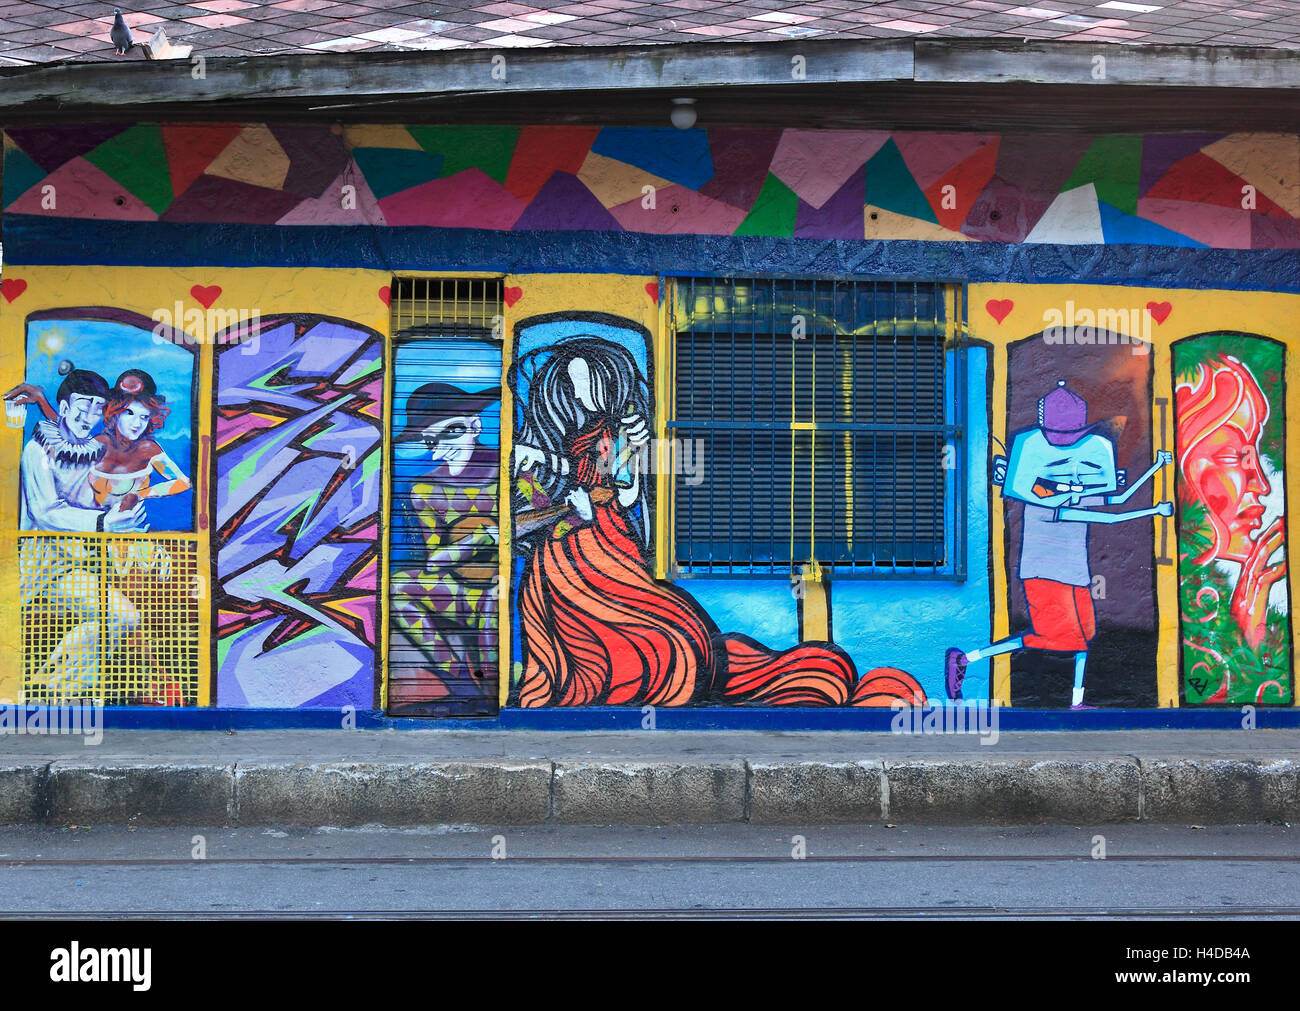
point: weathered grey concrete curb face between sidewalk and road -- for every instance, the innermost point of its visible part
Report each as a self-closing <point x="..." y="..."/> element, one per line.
<point x="610" y="792"/>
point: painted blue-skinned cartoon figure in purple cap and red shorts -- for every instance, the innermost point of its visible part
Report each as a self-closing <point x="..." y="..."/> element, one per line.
<point x="1061" y="471"/>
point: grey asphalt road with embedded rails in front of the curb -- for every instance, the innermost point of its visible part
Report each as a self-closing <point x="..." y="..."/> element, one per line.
<point x="904" y="873"/>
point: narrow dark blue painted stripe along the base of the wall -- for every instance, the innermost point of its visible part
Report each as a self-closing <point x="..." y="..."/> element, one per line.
<point x="683" y="719"/>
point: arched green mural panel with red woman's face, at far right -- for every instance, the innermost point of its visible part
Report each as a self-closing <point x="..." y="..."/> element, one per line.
<point x="1232" y="556"/>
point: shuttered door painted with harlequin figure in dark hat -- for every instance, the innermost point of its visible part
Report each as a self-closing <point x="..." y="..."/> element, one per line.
<point x="444" y="649"/>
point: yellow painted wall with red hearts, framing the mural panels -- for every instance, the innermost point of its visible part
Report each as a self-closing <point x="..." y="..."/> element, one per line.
<point x="354" y="296"/>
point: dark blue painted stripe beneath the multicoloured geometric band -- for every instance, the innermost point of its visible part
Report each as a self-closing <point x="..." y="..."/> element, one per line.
<point x="32" y="240"/>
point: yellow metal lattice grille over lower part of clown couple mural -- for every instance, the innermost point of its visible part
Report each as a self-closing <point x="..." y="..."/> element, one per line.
<point x="111" y="618"/>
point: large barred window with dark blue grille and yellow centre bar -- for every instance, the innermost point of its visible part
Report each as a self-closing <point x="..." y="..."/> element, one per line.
<point x="826" y="423"/>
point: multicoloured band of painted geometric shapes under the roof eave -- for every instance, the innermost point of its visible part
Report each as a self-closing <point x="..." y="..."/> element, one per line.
<point x="1240" y="192"/>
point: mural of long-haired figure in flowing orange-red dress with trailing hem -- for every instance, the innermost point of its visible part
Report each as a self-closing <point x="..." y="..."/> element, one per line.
<point x="595" y="627"/>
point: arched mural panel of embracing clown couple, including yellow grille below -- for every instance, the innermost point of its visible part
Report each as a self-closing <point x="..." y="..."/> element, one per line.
<point x="106" y="615"/>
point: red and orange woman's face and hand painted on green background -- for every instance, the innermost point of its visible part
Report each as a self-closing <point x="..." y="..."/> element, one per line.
<point x="1221" y="418"/>
